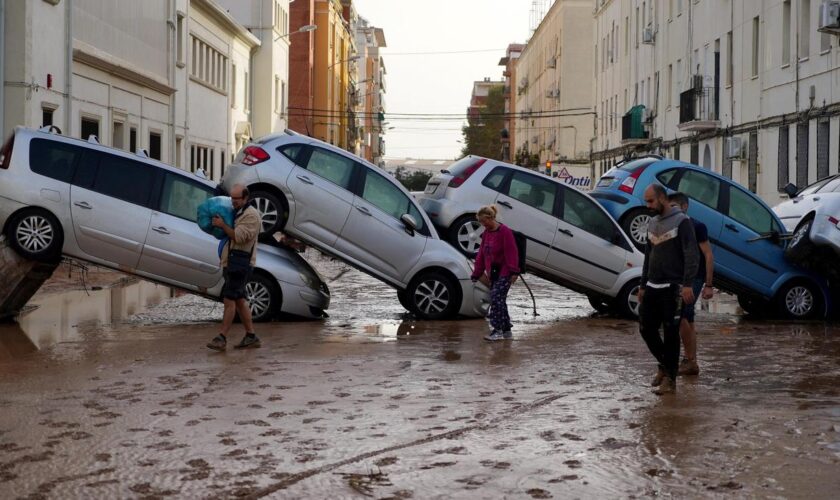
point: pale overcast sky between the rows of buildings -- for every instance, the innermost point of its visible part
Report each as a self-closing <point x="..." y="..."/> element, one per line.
<point x="439" y="83"/>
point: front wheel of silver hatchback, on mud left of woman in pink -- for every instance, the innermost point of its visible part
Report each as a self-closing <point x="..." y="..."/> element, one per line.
<point x="434" y="295"/>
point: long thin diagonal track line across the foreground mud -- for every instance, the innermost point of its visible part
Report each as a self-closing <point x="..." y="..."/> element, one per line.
<point x="489" y="423"/>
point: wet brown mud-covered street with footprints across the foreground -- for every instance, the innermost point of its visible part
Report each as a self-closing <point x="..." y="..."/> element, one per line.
<point x="370" y="403"/>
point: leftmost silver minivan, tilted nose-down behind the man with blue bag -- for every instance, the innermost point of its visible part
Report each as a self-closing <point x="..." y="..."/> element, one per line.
<point x="60" y="195"/>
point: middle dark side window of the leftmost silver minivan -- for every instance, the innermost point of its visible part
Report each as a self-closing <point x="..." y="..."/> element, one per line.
<point x="124" y="179"/>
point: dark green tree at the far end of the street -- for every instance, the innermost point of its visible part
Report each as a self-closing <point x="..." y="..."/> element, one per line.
<point x="482" y="136"/>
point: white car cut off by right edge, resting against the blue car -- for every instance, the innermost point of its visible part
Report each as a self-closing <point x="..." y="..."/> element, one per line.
<point x="813" y="216"/>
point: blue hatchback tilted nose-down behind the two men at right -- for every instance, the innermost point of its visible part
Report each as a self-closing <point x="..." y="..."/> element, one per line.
<point x="747" y="238"/>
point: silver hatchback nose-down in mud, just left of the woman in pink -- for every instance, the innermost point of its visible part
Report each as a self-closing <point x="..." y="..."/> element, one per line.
<point x="357" y="212"/>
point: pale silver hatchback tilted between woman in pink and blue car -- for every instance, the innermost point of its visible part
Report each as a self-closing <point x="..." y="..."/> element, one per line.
<point x="572" y="240"/>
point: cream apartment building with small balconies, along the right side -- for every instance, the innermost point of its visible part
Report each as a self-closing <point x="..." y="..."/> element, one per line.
<point x="745" y="89"/>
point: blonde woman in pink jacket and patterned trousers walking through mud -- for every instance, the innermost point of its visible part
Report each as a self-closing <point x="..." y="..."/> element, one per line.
<point x="498" y="257"/>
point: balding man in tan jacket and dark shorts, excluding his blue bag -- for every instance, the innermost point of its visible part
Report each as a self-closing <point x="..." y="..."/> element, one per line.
<point x="238" y="258"/>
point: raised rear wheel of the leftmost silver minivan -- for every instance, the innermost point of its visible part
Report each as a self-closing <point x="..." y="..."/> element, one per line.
<point x="36" y="234"/>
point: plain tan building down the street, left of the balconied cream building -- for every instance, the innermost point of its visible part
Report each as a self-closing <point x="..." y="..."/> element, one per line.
<point x="554" y="94"/>
